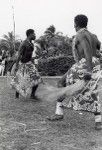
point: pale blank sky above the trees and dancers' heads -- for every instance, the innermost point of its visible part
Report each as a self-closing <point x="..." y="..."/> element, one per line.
<point x="40" y="14"/>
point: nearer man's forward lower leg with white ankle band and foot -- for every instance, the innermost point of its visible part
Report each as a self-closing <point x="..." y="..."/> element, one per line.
<point x="59" y="110"/>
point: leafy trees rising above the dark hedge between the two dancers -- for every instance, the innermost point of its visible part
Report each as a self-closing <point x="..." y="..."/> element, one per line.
<point x="53" y="44"/>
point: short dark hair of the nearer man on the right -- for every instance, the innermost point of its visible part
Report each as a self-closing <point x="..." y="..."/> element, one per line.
<point x="81" y="21"/>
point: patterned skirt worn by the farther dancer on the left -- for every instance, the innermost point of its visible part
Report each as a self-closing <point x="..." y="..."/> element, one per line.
<point x="26" y="77"/>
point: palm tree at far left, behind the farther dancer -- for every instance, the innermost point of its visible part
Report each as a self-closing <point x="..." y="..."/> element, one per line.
<point x="10" y="42"/>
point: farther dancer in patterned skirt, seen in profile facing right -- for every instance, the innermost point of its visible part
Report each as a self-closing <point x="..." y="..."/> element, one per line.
<point x="26" y="78"/>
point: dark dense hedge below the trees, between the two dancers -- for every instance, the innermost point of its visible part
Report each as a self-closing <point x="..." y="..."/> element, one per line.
<point x="55" y="65"/>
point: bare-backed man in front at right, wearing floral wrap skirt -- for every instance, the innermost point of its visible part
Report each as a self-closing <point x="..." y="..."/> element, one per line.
<point x="87" y="66"/>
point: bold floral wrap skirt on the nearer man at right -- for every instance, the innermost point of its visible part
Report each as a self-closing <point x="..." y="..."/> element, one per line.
<point x="88" y="98"/>
